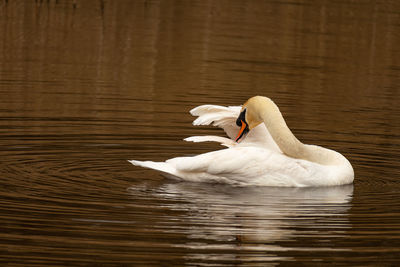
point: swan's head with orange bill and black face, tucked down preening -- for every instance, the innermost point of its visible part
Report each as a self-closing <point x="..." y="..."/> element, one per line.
<point x="249" y="116"/>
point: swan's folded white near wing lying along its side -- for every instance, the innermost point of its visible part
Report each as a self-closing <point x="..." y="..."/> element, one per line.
<point x="246" y="166"/>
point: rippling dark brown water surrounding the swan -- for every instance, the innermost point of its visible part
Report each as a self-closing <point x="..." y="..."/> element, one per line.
<point x="87" y="85"/>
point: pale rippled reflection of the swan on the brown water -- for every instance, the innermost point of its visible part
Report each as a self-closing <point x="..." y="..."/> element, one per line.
<point x="252" y="219"/>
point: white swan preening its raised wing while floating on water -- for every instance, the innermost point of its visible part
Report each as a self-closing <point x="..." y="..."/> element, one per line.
<point x="261" y="151"/>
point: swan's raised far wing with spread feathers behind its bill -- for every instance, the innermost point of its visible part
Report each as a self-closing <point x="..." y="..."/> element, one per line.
<point x="225" y="118"/>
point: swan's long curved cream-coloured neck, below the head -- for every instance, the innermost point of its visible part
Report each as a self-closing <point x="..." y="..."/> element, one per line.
<point x="287" y="142"/>
